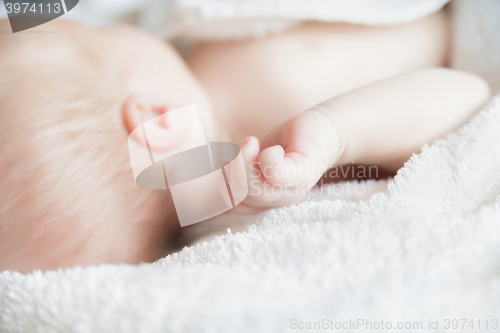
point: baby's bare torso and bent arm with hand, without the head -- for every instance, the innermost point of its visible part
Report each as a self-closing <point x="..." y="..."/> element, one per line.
<point x="330" y="94"/>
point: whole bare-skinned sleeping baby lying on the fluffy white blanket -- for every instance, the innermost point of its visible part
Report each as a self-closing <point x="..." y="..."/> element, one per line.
<point x="312" y="97"/>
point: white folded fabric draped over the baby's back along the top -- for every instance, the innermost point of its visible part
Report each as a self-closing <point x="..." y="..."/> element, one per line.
<point x="195" y="20"/>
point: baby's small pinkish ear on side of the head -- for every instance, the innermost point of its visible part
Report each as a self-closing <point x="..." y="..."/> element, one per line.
<point x="162" y="130"/>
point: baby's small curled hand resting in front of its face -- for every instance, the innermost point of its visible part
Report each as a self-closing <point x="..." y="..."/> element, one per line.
<point x="288" y="163"/>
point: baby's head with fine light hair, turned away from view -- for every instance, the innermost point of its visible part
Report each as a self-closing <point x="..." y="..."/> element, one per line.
<point x="69" y="97"/>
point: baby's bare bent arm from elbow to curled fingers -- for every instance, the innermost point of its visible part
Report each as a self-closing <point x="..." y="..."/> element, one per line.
<point x="381" y="124"/>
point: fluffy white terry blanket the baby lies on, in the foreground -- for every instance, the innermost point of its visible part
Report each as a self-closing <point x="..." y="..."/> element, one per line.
<point x="425" y="250"/>
